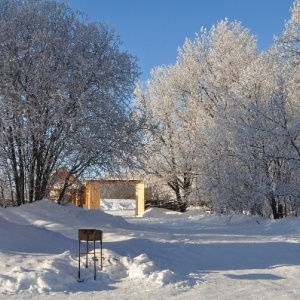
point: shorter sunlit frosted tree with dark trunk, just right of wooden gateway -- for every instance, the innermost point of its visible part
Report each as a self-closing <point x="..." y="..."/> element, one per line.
<point x="170" y="144"/>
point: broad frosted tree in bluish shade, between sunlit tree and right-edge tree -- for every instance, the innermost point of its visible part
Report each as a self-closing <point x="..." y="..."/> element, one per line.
<point x="250" y="172"/>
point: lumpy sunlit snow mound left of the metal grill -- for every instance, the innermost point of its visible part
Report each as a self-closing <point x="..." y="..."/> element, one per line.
<point x="36" y="274"/>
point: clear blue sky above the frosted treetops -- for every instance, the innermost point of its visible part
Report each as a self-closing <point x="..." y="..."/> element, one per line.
<point x="154" y="29"/>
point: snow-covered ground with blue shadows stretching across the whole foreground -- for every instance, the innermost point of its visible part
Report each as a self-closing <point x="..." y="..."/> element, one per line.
<point x="159" y="255"/>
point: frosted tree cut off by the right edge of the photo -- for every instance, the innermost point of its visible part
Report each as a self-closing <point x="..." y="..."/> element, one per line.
<point x="288" y="48"/>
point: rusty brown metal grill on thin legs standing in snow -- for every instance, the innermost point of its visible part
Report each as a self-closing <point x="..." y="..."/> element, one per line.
<point x="89" y="235"/>
